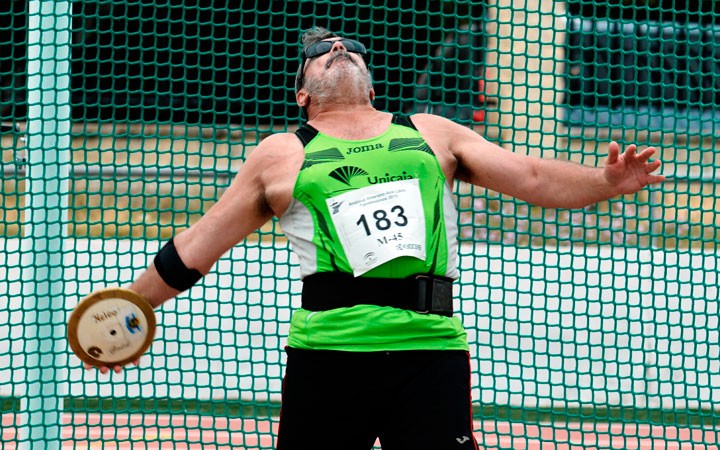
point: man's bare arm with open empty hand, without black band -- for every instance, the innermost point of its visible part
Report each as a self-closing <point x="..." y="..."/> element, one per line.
<point x="549" y="183"/>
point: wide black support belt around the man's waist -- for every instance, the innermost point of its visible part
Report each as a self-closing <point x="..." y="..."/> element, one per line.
<point x="420" y="293"/>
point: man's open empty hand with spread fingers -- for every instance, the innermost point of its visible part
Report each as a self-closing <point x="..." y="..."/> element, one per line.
<point x="630" y="171"/>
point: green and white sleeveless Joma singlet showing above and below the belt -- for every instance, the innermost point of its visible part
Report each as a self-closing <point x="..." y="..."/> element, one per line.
<point x="378" y="207"/>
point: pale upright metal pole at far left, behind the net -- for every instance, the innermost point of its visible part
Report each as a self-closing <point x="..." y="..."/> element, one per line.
<point x="45" y="225"/>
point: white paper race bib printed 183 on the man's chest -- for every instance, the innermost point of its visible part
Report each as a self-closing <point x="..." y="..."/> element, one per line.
<point x="379" y="223"/>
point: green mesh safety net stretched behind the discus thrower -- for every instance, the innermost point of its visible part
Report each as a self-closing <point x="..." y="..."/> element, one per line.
<point x="122" y="122"/>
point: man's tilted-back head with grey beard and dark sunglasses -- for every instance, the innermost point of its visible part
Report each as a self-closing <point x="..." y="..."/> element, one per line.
<point x="332" y="70"/>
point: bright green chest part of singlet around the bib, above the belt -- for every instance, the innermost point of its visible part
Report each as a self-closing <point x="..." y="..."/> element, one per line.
<point x="334" y="166"/>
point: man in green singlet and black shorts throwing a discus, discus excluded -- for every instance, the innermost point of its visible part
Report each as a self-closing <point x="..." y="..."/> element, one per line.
<point x="365" y="198"/>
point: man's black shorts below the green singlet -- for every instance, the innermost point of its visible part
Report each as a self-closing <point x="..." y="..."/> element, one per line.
<point x="411" y="400"/>
